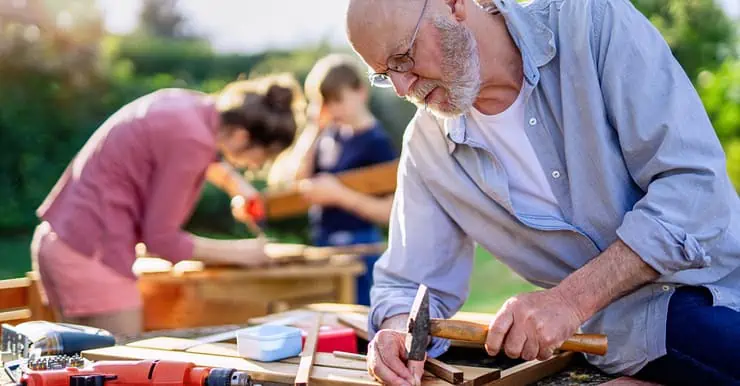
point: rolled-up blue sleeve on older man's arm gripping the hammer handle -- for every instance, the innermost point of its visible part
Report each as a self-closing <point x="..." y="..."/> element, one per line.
<point x="668" y="144"/>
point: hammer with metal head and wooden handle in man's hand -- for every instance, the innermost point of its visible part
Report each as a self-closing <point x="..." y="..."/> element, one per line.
<point x="420" y="327"/>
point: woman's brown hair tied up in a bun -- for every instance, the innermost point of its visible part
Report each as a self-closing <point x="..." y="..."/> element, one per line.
<point x="270" y="108"/>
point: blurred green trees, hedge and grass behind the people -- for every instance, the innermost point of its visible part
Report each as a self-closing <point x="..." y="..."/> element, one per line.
<point x="60" y="79"/>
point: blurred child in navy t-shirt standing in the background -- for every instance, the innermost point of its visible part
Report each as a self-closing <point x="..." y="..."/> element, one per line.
<point x="347" y="136"/>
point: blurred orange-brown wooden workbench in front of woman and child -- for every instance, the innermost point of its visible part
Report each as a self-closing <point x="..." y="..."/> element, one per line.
<point x="192" y="295"/>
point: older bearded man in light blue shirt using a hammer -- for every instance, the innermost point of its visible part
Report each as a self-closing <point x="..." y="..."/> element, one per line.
<point x="563" y="137"/>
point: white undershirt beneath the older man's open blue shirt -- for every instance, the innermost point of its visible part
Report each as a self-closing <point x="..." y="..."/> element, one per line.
<point x="504" y="134"/>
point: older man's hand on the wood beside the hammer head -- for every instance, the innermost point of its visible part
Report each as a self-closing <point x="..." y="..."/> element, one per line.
<point x="387" y="361"/>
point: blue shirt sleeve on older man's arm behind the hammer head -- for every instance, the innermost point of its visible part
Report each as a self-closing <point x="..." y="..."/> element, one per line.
<point x="425" y="246"/>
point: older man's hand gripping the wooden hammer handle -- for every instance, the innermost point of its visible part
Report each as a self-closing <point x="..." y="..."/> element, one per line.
<point x="533" y="325"/>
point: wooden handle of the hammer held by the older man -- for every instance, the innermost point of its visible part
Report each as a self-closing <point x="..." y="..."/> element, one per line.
<point x="477" y="333"/>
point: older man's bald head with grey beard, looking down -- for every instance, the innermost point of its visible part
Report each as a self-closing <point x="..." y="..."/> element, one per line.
<point x="444" y="76"/>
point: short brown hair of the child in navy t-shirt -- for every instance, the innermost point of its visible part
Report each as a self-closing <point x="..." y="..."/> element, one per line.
<point x="330" y="75"/>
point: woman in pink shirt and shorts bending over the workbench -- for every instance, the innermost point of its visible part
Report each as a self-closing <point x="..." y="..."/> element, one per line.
<point x="137" y="179"/>
